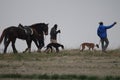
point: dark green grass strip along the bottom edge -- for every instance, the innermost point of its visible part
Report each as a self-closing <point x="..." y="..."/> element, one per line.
<point x="58" y="77"/>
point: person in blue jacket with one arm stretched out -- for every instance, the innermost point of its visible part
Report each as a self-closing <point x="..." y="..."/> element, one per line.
<point x="102" y="33"/>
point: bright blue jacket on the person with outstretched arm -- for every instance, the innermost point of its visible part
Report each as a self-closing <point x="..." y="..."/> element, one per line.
<point x="102" y="30"/>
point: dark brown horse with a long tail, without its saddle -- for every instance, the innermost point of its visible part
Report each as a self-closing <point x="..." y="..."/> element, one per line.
<point x="11" y="33"/>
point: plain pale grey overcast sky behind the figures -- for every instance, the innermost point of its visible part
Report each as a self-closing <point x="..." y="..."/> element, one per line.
<point x="77" y="19"/>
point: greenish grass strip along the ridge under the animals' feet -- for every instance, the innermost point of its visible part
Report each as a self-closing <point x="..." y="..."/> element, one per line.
<point x="35" y="56"/>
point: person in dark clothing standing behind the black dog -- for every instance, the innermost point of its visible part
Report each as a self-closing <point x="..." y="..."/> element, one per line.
<point x="53" y="34"/>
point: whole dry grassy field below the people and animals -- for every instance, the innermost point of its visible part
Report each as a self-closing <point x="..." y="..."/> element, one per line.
<point x="68" y="64"/>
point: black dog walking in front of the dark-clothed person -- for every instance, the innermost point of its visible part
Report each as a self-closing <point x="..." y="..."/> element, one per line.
<point x="55" y="45"/>
